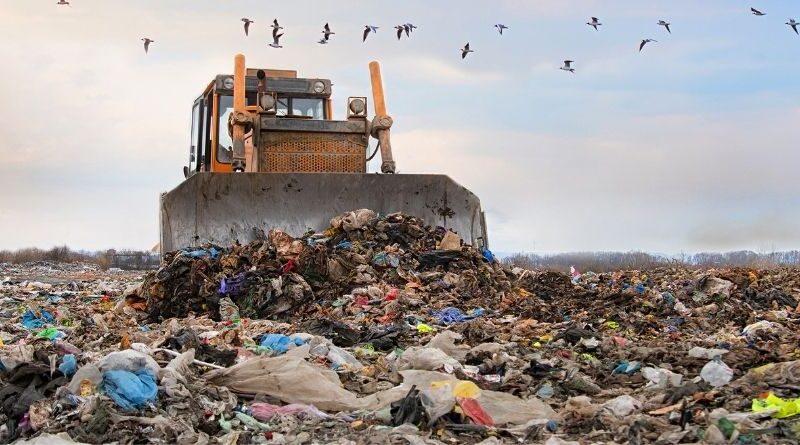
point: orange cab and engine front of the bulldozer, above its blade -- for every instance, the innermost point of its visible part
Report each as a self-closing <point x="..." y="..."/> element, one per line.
<point x="290" y="126"/>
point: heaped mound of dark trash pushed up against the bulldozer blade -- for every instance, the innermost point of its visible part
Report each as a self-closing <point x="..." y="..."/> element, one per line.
<point x="362" y="258"/>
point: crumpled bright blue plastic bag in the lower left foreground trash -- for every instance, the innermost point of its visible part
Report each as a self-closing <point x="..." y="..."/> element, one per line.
<point x="130" y="390"/>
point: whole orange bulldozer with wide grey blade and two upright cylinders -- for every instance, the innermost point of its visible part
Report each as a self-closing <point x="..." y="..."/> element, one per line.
<point x="266" y="152"/>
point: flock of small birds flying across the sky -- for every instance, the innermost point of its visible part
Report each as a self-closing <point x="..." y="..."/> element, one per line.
<point x="408" y="29"/>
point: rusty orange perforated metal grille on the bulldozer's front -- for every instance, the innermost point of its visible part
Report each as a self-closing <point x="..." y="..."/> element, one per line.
<point x="301" y="152"/>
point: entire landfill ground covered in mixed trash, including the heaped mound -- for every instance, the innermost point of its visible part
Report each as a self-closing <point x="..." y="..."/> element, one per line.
<point x="382" y="330"/>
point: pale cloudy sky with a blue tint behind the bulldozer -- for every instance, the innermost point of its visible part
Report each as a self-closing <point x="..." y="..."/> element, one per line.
<point x="691" y="145"/>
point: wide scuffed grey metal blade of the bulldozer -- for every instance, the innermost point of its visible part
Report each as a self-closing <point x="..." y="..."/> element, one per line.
<point x="223" y="208"/>
